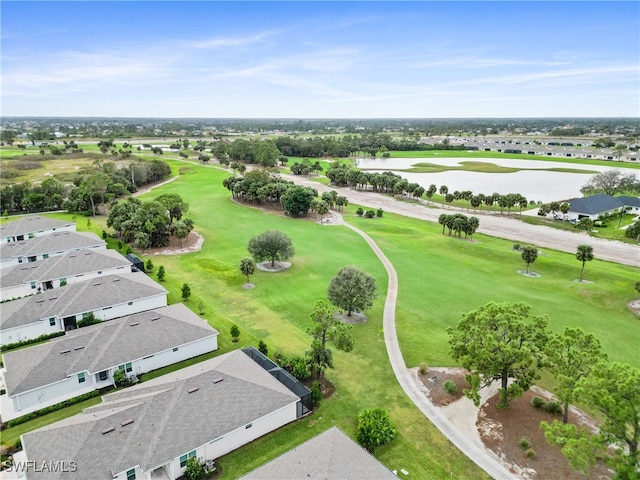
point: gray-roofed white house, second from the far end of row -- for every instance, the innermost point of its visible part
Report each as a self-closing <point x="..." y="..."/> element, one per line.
<point x="45" y="246"/>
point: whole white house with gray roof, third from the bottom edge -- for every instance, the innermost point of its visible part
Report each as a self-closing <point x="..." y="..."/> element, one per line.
<point x="86" y="358"/>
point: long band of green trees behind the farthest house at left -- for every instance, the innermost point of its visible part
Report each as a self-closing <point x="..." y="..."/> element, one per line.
<point x="102" y="183"/>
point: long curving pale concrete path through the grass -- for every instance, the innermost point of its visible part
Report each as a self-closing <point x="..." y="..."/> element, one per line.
<point x="490" y="464"/>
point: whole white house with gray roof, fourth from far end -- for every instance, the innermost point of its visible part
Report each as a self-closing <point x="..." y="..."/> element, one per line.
<point x="59" y="310"/>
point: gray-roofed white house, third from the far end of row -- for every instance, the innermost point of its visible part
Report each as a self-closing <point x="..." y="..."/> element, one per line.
<point x="71" y="267"/>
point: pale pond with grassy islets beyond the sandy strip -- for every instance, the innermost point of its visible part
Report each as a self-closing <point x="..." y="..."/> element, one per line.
<point x="540" y="185"/>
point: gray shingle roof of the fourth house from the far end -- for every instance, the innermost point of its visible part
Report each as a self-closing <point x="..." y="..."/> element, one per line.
<point x="78" y="298"/>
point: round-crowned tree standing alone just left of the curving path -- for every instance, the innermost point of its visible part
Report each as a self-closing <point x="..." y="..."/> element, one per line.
<point x="352" y="290"/>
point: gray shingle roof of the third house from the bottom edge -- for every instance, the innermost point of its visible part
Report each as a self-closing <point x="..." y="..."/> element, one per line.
<point x="105" y="345"/>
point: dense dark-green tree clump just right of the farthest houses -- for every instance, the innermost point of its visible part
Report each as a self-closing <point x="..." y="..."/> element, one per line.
<point x="150" y="224"/>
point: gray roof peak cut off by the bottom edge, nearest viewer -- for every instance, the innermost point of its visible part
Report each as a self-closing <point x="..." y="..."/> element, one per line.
<point x="332" y="455"/>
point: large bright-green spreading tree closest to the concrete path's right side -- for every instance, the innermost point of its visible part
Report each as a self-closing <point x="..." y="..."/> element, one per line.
<point x="495" y="342"/>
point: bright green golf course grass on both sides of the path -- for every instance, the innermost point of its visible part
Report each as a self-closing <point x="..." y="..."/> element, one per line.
<point x="440" y="278"/>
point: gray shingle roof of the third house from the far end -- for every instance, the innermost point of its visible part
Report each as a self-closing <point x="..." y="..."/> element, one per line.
<point x="62" y="266"/>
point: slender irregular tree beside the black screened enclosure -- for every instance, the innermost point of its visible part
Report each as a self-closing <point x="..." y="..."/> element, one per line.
<point x="326" y="328"/>
